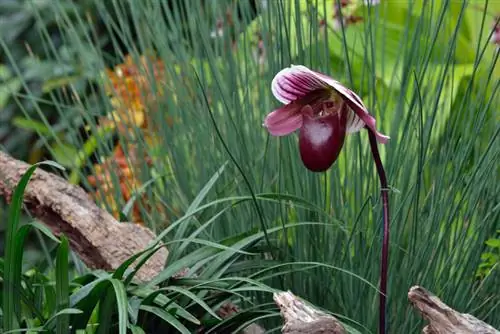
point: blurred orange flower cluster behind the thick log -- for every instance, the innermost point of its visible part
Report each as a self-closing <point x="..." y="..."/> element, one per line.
<point x="129" y="88"/>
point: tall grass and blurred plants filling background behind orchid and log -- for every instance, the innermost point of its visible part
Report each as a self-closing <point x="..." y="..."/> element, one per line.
<point x="115" y="91"/>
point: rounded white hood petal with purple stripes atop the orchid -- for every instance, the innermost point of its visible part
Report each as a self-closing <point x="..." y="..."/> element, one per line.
<point x="295" y="82"/>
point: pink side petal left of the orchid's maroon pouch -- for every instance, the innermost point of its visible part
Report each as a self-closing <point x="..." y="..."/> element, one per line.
<point x="284" y="120"/>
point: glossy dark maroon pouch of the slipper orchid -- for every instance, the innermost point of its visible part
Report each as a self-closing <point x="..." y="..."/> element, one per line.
<point x="321" y="140"/>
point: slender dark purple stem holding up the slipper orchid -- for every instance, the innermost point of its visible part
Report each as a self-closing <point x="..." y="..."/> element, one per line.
<point x="384" y="263"/>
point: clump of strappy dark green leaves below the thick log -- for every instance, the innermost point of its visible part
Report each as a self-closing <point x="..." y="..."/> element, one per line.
<point x="113" y="302"/>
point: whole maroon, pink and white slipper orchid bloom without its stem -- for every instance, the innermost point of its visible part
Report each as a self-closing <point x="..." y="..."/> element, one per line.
<point x="323" y="111"/>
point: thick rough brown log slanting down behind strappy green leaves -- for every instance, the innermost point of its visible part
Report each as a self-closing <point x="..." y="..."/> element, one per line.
<point x="101" y="241"/>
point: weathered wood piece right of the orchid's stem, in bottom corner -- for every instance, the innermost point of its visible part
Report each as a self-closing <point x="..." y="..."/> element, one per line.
<point x="443" y="319"/>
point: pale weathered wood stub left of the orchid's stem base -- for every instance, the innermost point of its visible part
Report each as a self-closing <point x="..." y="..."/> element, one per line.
<point x="301" y="318"/>
